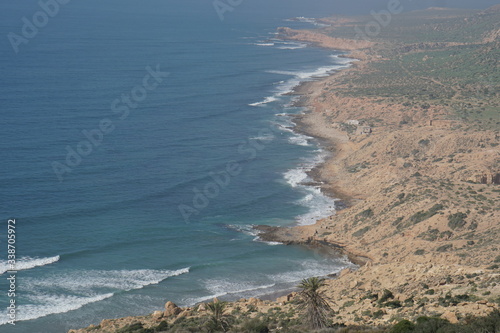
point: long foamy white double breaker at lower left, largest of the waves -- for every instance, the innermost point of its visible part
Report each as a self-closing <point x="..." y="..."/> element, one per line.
<point x="63" y="292"/>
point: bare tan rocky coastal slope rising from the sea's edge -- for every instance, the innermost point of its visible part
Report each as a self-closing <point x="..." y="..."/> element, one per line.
<point x="369" y="171"/>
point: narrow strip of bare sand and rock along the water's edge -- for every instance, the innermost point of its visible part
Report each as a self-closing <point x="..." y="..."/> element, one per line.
<point x="335" y="143"/>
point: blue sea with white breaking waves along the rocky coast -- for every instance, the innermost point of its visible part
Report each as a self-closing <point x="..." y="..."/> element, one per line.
<point x="162" y="206"/>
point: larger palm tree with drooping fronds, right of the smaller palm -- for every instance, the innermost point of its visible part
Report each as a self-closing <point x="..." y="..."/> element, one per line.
<point x="313" y="302"/>
